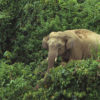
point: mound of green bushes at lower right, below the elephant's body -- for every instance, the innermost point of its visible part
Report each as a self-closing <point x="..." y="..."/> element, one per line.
<point x="78" y="80"/>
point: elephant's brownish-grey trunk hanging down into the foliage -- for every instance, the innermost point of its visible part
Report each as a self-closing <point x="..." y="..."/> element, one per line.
<point x="52" y="57"/>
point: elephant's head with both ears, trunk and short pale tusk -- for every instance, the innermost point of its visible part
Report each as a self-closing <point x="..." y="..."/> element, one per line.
<point x="59" y="44"/>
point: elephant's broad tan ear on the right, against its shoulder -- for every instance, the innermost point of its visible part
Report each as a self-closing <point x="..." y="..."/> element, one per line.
<point x="74" y="46"/>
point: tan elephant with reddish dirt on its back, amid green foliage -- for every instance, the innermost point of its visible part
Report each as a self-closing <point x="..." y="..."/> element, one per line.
<point x="73" y="44"/>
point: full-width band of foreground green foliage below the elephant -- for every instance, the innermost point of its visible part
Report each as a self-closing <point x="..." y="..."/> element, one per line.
<point x="77" y="80"/>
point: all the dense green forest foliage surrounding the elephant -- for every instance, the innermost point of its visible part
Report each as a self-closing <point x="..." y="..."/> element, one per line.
<point x="23" y="24"/>
